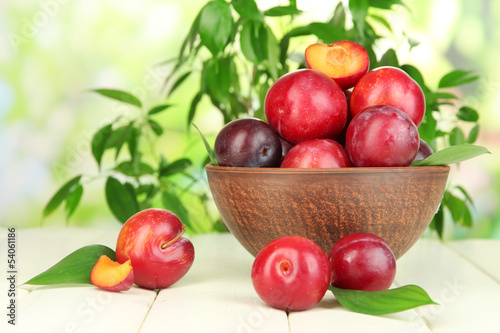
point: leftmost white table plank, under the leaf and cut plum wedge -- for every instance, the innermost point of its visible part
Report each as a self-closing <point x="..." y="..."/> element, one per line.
<point x="72" y="308"/>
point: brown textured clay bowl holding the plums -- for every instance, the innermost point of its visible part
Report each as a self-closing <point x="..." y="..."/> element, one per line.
<point x="261" y="204"/>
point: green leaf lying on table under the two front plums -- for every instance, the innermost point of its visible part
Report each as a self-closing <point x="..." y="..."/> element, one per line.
<point x="383" y="301"/>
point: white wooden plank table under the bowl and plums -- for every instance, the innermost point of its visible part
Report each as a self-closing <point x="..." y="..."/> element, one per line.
<point x="217" y="295"/>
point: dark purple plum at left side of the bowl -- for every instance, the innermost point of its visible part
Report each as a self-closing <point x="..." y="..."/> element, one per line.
<point x="248" y="142"/>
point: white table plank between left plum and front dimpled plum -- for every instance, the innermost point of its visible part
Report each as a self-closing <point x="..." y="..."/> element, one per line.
<point x="216" y="295"/>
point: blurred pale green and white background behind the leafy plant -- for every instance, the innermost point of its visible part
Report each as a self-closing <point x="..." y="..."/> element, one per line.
<point x="52" y="52"/>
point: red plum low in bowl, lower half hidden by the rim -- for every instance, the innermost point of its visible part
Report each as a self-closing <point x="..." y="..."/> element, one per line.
<point x="318" y="153"/>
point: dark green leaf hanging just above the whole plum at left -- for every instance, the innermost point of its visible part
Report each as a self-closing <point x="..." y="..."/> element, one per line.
<point x="122" y="203"/>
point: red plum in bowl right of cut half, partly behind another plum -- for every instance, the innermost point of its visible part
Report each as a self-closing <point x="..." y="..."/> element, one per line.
<point x="389" y="86"/>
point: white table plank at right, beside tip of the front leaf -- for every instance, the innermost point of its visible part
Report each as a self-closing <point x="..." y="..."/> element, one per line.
<point x="468" y="298"/>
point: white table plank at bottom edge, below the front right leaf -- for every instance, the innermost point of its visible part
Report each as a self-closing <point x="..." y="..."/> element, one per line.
<point x="330" y="316"/>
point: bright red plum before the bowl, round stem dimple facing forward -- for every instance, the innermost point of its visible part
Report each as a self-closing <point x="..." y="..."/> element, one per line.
<point x="291" y="273"/>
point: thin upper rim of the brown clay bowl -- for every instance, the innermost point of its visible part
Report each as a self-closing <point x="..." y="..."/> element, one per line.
<point x="349" y="170"/>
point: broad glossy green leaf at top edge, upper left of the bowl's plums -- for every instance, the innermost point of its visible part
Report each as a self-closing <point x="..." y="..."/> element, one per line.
<point x="215" y="25"/>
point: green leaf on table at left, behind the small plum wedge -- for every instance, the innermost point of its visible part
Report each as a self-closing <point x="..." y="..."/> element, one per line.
<point x="74" y="268"/>
